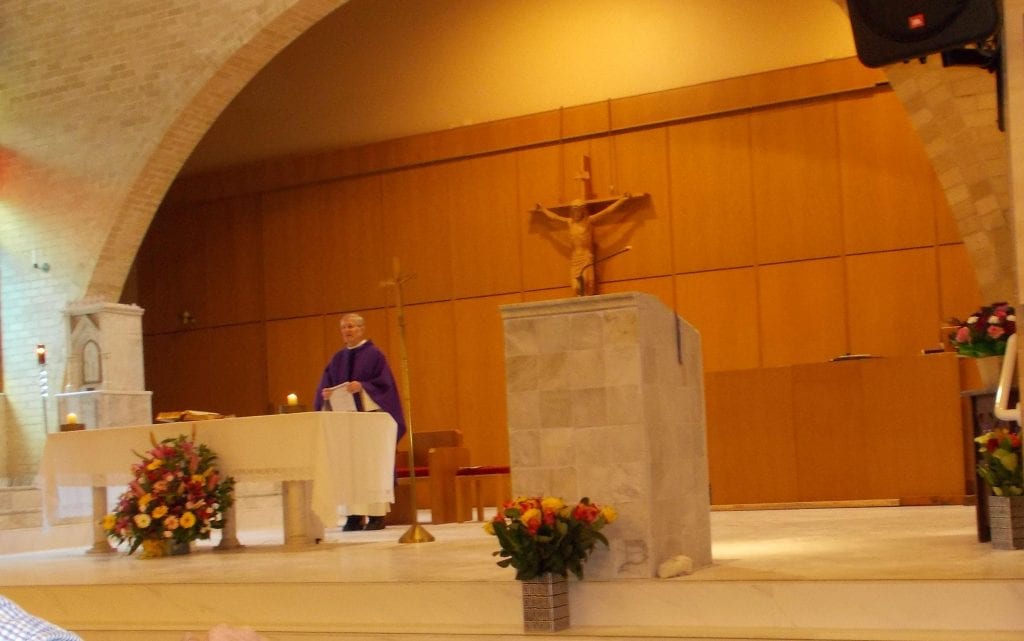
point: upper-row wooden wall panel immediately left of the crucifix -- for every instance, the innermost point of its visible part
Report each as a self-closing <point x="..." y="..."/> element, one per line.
<point x="485" y="229"/>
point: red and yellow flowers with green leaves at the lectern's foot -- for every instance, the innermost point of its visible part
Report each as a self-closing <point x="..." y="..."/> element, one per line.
<point x="544" y="535"/>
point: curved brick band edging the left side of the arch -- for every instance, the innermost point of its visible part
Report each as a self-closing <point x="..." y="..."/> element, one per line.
<point x="177" y="144"/>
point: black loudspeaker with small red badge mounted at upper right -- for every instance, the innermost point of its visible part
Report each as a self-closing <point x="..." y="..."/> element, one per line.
<point x="891" y="31"/>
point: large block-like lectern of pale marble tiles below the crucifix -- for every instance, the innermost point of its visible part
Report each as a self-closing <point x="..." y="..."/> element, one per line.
<point x="606" y="400"/>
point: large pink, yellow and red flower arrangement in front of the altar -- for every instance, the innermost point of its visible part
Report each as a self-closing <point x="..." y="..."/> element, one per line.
<point x="177" y="496"/>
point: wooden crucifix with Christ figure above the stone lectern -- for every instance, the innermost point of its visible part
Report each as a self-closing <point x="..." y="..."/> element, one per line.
<point x="579" y="219"/>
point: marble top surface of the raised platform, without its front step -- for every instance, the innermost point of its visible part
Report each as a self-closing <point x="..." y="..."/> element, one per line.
<point x="841" y="544"/>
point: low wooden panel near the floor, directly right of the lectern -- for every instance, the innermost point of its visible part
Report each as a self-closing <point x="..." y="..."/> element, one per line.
<point x="752" y="450"/>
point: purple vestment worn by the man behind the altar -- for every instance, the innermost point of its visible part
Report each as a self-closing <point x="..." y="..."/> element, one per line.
<point x="367" y="365"/>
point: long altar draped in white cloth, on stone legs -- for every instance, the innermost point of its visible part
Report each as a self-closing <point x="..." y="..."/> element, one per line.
<point x="323" y="459"/>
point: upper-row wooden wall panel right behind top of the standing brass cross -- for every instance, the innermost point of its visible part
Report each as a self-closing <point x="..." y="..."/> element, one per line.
<point x="417" y="218"/>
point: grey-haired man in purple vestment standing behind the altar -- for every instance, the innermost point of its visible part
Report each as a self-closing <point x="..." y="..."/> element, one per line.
<point x="359" y="378"/>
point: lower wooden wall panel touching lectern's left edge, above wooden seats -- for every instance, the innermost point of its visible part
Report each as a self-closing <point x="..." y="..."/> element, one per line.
<point x="480" y="375"/>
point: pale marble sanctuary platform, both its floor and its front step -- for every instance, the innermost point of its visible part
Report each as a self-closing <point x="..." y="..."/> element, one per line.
<point x="908" y="574"/>
